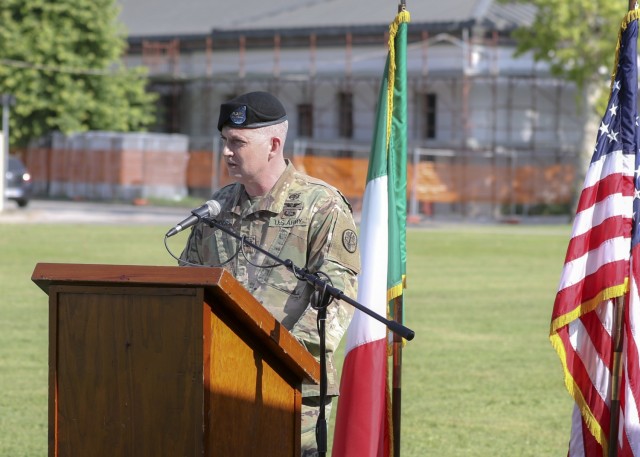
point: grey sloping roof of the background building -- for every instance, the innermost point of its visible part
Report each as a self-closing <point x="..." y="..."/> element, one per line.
<point x="160" y="18"/>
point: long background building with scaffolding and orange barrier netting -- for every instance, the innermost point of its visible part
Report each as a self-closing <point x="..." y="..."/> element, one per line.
<point x="490" y="134"/>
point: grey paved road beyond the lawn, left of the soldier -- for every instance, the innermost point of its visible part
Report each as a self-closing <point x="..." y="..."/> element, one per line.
<point x="51" y="212"/>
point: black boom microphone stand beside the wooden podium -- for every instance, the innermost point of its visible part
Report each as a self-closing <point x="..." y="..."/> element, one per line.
<point x="326" y="294"/>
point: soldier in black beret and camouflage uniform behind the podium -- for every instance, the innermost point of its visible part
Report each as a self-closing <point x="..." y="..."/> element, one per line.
<point x="291" y="215"/>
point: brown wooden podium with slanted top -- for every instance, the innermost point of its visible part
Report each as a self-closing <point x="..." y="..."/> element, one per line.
<point x="168" y="361"/>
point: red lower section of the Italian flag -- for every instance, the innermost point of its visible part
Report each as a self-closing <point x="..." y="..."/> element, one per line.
<point x="363" y="403"/>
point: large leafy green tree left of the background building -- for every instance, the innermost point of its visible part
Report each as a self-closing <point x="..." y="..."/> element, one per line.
<point x="61" y="61"/>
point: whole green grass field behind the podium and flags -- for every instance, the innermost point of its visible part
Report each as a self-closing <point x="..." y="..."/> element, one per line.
<point x="479" y="379"/>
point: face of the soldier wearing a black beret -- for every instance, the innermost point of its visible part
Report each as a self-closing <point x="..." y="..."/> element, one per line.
<point x="246" y="153"/>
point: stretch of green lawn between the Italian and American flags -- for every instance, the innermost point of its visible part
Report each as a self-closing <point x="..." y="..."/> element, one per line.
<point x="480" y="378"/>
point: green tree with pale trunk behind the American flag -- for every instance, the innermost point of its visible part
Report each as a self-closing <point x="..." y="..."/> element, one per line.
<point x="578" y="40"/>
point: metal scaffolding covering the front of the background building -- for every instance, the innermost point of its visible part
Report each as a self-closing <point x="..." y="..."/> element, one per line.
<point x="506" y="132"/>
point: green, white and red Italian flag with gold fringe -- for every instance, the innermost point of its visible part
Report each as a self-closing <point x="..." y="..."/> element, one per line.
<point x="363" y="427"/>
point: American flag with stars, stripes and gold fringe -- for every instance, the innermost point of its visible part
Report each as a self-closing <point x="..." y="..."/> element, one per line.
<point x="602" y="272"/>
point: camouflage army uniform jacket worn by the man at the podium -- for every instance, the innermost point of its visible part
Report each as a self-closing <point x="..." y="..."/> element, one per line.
<point x="301" y="219"/>
